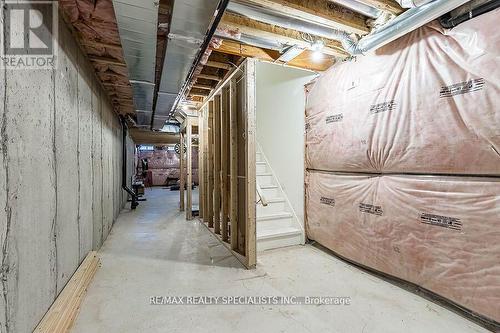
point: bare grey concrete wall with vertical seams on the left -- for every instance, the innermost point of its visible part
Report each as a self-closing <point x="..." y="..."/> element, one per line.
<point x="60" y="180"/>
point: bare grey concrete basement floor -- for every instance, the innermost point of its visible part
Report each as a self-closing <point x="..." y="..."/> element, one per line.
<point x="153" y="251"/>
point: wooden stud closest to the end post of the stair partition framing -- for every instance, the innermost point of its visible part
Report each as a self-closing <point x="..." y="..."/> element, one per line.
<point x="233" y="153"/>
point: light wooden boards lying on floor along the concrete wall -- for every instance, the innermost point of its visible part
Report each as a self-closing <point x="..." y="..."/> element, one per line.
<point x="64" y="310"/>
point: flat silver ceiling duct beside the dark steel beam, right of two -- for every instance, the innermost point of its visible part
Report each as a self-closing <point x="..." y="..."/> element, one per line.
<point x="191" y="20"/>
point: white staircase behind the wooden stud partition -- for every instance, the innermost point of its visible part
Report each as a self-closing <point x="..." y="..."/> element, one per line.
<point x="277" y="224"/>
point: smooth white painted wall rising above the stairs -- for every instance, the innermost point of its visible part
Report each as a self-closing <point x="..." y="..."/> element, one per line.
<point x="280" y="126"/>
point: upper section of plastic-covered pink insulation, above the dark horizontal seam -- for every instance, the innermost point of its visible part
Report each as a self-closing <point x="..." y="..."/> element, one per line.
<point x="427" y="103"/>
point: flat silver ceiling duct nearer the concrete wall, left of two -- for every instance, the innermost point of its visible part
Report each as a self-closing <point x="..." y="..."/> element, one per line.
<point x="137" y="24"/>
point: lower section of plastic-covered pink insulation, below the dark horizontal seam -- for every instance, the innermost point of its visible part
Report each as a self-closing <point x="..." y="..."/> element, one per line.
<point x="441" y="233"/>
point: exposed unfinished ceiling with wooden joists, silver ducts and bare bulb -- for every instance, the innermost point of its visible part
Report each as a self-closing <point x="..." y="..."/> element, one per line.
<point x="173" y="53"/>
